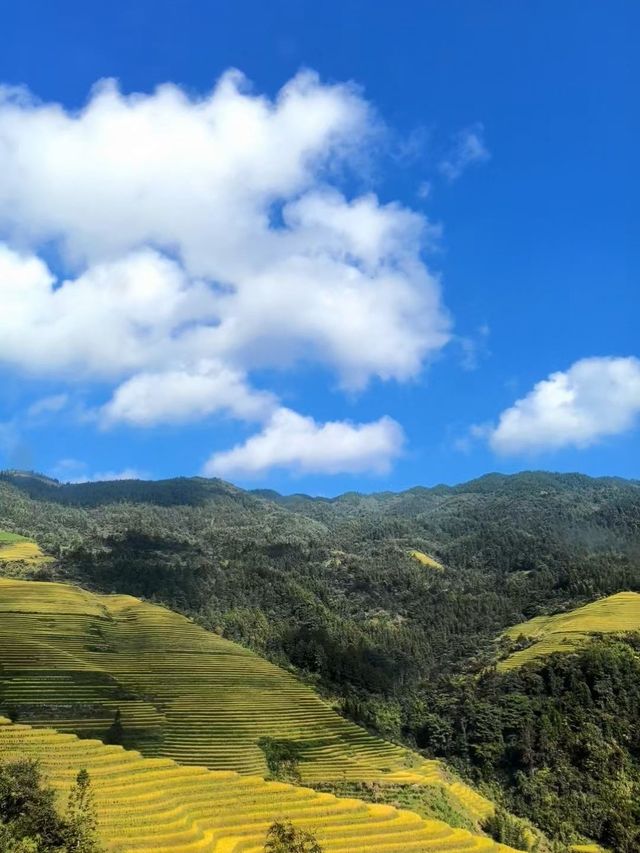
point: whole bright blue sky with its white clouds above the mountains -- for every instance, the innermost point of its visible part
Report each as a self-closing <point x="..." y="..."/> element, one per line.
<point x="418" y="266"/>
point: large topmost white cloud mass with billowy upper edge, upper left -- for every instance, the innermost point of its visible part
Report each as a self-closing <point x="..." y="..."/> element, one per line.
<point x="193" y="174"/>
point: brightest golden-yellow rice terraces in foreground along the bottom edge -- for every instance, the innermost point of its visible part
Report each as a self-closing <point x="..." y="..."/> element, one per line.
<point x="155" y="805"/>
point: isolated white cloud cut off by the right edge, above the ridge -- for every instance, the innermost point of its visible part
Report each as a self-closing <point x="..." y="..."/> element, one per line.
<point x="593" y="399"/>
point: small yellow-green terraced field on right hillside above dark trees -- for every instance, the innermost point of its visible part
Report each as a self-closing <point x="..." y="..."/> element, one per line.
<point x="565" y="632"/>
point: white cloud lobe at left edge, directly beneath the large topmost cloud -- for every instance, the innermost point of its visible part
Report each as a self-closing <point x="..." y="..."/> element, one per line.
<point x="116" y="317"/>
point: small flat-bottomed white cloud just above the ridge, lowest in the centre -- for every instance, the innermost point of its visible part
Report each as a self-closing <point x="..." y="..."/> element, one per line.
<point x="299" y="443"/>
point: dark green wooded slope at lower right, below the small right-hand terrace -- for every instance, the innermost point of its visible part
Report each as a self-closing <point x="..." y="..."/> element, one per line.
<point x="560" y="736"/>
